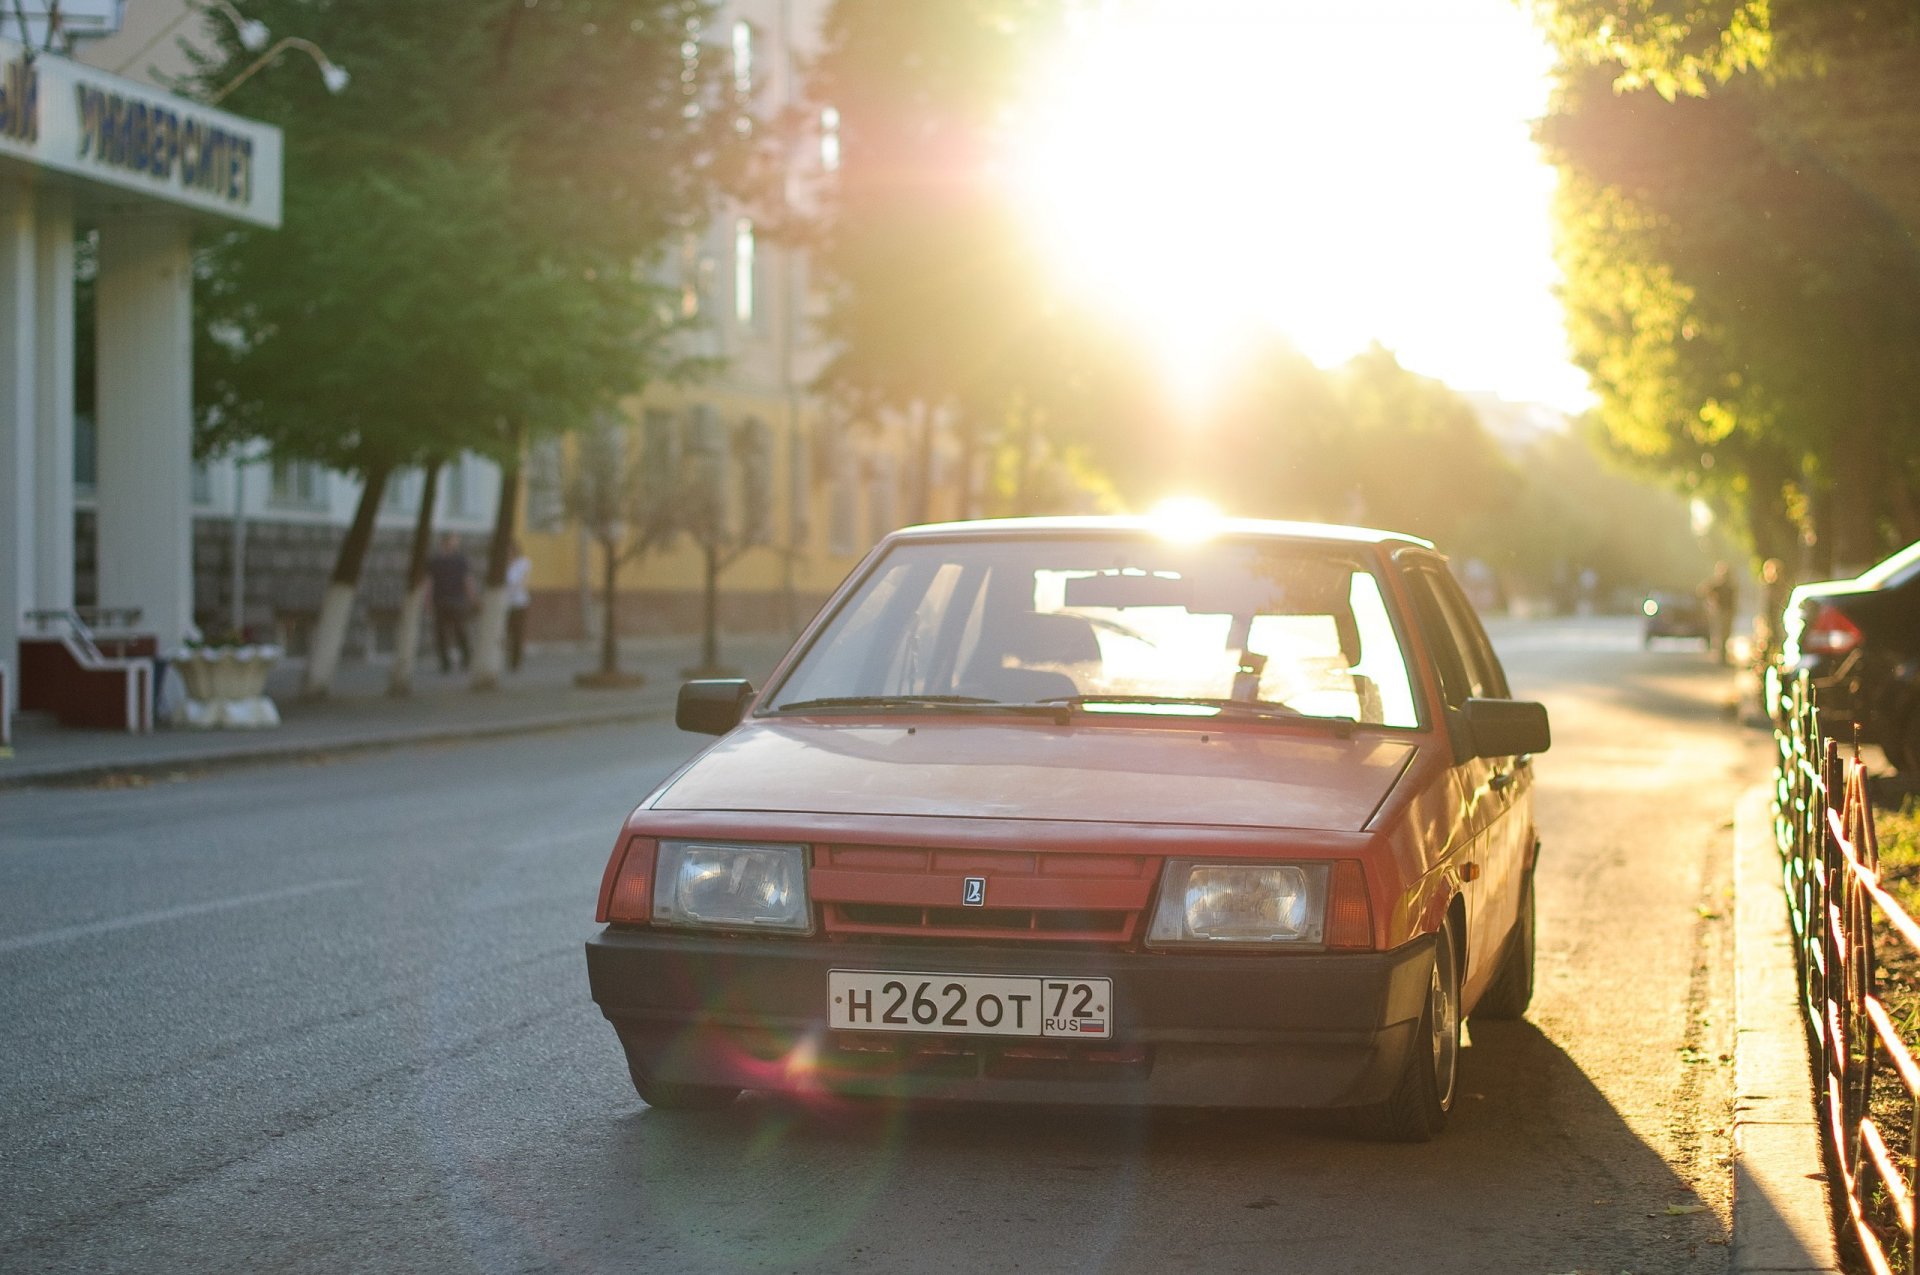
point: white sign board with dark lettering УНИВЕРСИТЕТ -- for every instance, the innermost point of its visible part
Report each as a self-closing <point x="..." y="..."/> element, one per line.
<point x="132" y="137"/>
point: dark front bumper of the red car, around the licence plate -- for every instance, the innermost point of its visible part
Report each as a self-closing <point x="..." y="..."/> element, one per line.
<point x="1280" y="1030"/>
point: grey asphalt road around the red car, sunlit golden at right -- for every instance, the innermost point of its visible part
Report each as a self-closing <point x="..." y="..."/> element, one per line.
<point x="335" y="1017"/>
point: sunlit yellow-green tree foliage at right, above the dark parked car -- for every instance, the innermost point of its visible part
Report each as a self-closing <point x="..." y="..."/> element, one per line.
<point x="1742" y="272"/>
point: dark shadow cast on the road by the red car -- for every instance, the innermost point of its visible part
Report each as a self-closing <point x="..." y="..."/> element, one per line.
<point x="1539" y="1172"/>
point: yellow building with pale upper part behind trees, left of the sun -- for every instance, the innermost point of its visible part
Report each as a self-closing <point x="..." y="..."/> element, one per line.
<point x="805" y="494"/>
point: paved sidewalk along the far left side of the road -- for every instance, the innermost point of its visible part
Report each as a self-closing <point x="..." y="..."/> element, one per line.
<point x="362" y="715"/>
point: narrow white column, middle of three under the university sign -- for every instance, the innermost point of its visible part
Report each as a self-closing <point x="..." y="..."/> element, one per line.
<point x="53" y="577"/>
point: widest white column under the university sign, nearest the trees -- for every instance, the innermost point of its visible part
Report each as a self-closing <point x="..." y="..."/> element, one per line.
<point x="145" y="421"/>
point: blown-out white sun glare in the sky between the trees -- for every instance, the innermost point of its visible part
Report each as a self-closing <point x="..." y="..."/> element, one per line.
<point x="1335" y="174"/>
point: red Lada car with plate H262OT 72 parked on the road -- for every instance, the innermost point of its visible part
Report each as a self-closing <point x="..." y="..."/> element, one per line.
<point x="1076" y="811"/>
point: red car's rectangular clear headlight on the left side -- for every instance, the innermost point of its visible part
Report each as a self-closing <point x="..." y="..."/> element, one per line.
<point x="732" y="886"/>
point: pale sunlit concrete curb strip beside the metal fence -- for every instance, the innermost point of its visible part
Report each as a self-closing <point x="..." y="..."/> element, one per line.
<point x="1783" y="1220"/>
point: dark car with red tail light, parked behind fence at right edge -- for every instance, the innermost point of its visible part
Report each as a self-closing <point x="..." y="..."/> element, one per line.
<point x="1861" y="644"/>
